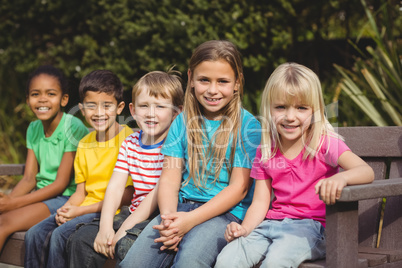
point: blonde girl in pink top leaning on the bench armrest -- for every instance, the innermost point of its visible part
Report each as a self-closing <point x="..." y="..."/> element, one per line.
<point x="299" y="159"/>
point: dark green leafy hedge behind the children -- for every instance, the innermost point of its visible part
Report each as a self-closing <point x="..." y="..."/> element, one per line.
<point x="132" y="37"/>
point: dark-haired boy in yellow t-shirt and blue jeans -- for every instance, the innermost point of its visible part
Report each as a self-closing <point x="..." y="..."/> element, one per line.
<point x="101" y="95"/>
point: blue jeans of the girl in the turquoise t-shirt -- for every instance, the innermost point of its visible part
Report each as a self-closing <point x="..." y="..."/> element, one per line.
<point x="198" y="248"/>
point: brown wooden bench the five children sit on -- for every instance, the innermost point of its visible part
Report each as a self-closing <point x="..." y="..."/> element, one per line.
<point x="361" y="219"/>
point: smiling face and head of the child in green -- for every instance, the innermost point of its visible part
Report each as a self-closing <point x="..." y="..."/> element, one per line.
<point x="45" y="98"/>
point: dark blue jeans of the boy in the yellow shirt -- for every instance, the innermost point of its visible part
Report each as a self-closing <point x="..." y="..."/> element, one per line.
<point x="46" y="241"/>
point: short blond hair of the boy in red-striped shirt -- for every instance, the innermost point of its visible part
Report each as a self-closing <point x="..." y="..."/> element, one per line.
<point x="161" y="84"/>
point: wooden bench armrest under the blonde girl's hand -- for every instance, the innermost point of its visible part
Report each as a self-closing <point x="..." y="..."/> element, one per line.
<point x="376" y="189"/>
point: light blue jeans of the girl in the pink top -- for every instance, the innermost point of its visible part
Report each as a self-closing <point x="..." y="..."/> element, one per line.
<point x="277" y="243"/>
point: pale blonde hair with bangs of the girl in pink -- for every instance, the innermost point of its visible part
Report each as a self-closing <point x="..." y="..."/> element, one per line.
<point x="291" y="81"/>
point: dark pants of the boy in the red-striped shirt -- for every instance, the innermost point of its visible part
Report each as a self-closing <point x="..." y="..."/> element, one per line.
<point x="80" y="246"/>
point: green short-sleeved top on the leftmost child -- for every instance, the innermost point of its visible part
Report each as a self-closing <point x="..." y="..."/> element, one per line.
<point x="49" y="150"/>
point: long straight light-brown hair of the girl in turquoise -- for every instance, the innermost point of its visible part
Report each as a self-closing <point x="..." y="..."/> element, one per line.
<point x="228" y="131"/>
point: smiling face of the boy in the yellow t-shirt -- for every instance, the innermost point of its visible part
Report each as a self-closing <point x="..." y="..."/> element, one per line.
<point x="100" y="111"/>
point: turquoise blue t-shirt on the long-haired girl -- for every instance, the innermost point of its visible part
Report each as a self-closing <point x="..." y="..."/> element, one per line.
<point x="176" y="146"/>
